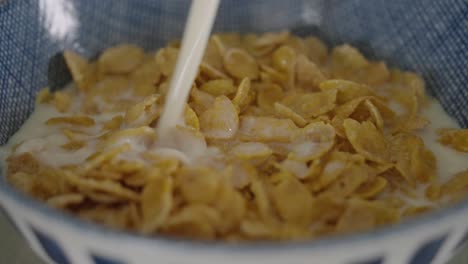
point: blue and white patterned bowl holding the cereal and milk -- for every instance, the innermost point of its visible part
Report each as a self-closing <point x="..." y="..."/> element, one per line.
<point x="430" y="37"/>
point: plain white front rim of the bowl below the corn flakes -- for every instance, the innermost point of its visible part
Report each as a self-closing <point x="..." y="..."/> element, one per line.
<point x="73" y="222"/>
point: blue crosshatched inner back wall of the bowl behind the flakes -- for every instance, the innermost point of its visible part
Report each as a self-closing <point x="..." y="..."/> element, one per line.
<point x="427" y="36"/>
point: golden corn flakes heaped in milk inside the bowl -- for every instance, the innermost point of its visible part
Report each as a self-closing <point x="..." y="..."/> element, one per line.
<point x="282" y="139"/>
